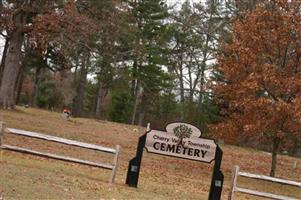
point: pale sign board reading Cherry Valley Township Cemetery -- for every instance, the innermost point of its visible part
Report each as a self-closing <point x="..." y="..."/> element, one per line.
<point x="182" y="141"/>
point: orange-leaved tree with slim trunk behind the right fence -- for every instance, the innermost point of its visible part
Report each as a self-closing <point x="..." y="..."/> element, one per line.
<point x="260" y="88"/>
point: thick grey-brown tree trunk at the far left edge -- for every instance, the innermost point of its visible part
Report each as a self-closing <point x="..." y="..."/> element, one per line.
<point x="12" y="64"/>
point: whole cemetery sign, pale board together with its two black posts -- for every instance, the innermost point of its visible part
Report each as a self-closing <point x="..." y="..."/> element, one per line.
<point x="180" y="140"/>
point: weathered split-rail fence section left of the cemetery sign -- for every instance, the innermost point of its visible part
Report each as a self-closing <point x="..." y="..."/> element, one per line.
<point x="41" y="136"/>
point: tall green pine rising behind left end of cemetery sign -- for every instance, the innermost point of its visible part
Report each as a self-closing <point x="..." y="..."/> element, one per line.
<point x="149" y="42"/>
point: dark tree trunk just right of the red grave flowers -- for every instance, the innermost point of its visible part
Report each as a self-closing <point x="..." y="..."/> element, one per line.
<point x="78" y="101"/>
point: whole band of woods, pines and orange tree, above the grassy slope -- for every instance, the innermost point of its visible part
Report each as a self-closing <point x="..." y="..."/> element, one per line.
<point x="227" y="66"/>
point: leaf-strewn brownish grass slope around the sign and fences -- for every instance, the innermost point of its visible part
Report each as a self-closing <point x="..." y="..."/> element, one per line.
<point x="30" y="177"/>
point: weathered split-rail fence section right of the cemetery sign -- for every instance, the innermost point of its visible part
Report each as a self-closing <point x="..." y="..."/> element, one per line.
<point x="234" y="187"/>
